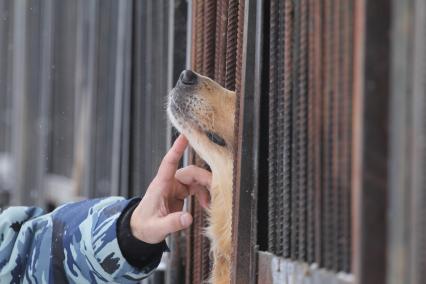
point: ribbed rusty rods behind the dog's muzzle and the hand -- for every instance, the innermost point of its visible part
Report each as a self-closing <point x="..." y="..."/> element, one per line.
<point x="216" y="52"/>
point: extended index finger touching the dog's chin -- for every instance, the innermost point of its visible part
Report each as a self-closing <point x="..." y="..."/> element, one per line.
<point x="170" y="162"/>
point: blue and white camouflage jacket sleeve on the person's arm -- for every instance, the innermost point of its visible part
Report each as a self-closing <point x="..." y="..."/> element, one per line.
<point x="76" y="243"/>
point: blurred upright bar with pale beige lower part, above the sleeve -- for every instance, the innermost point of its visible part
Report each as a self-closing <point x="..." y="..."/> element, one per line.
<point x="86" y="84"/>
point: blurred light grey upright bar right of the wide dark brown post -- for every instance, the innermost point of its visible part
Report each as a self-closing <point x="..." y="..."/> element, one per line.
<point x="398" y="261"/>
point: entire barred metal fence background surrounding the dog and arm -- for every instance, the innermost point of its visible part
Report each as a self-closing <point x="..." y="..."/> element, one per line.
<point x="329" y="169"/>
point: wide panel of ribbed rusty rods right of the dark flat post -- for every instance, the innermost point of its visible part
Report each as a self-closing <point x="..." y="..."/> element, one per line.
<point x="310" y="94"/>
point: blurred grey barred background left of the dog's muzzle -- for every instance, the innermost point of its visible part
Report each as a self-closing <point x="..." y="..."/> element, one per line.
<point x="83" y="89"/>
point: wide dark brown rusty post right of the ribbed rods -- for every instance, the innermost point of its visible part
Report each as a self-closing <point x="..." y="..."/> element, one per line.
<point x="370" y="165"/>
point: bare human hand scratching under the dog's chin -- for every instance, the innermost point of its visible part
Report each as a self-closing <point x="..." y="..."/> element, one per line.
<point x="160" y="211"/>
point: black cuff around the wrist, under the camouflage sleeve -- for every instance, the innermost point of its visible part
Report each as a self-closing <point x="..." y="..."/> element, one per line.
<point x="138" y="253"/>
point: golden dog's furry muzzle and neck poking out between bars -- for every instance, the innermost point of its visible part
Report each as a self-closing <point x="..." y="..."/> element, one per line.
<point x="204" y="113"/>
